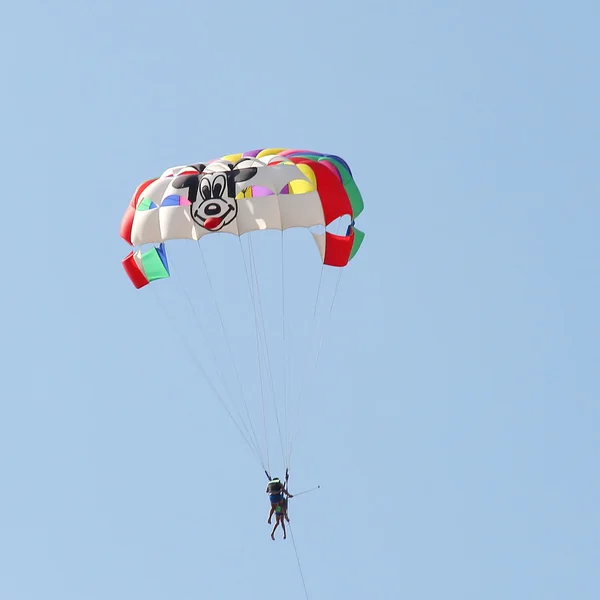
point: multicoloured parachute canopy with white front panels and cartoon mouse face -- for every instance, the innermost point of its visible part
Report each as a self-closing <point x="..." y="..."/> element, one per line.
<point x="274" y="188"/>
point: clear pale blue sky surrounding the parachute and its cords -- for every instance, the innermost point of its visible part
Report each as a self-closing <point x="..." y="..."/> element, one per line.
<point x="452" y="424"/>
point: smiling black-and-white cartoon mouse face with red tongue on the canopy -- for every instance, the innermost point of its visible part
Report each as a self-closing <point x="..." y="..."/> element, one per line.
<point x="215" y="206"/>
